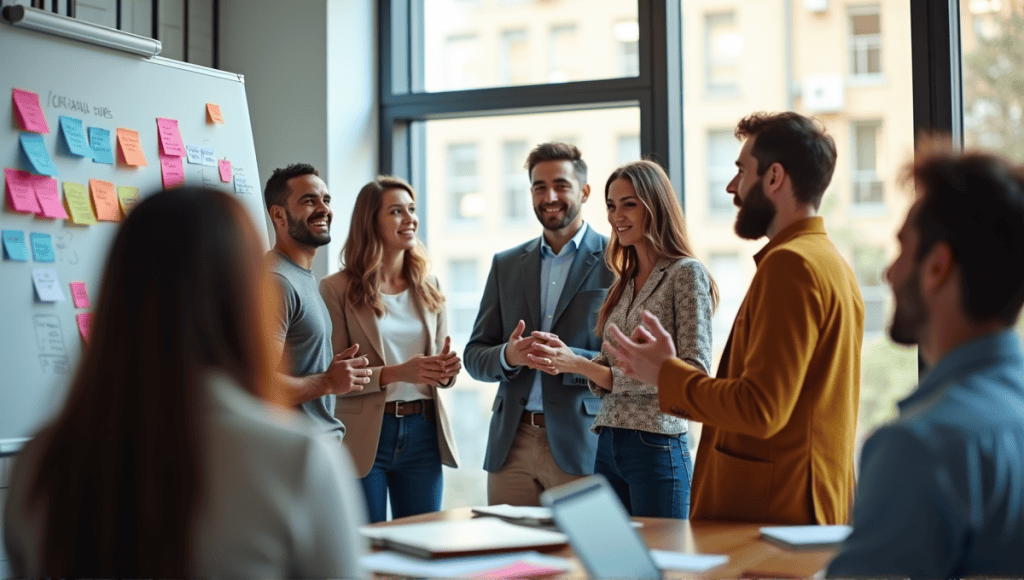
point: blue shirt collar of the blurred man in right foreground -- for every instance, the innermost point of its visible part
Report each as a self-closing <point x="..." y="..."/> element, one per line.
<point x="1004" y="347"/>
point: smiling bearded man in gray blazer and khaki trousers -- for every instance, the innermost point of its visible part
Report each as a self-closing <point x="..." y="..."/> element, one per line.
<point x="540" y="432"/>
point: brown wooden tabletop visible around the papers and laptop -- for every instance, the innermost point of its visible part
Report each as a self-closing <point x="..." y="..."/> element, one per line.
<point x="749" y="556"/>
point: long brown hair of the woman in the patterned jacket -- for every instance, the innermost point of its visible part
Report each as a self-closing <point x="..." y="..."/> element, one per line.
<point x="664" y="230"/>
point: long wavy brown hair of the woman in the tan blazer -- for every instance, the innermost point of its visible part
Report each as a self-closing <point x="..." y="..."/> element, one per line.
<point x="364" y="253"/>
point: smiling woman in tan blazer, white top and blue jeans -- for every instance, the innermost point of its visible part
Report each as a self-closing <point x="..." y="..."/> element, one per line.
<point x="385" y="301"/>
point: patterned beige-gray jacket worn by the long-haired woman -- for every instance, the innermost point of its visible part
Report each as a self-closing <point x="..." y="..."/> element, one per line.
<point x="679" y="295"/>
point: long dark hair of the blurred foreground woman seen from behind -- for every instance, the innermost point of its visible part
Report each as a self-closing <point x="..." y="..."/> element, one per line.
<point x="119" y="482"/>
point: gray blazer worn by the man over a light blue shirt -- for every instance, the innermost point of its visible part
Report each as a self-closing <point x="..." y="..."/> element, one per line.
<point x="514" y="294"/>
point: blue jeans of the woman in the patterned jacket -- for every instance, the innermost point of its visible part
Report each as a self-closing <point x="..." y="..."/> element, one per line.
<point x="651" y="473"/>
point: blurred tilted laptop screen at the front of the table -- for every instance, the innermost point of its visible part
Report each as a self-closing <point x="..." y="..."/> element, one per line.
<point x="600" y="530"/>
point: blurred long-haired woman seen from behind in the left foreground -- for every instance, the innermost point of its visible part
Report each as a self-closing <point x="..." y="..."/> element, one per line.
<point x="163" y="464"/>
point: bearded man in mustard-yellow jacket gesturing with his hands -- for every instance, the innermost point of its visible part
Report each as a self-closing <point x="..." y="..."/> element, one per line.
<point x="780" y="418"/>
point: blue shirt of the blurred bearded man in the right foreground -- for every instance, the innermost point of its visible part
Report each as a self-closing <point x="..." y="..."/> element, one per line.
<point x="942" y="490"/>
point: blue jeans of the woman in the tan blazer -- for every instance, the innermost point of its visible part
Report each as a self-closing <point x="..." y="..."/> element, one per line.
<point x="408" y="469"/>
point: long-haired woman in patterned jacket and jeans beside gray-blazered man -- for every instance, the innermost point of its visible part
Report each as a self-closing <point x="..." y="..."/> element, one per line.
<point x="643" y="451"/>
